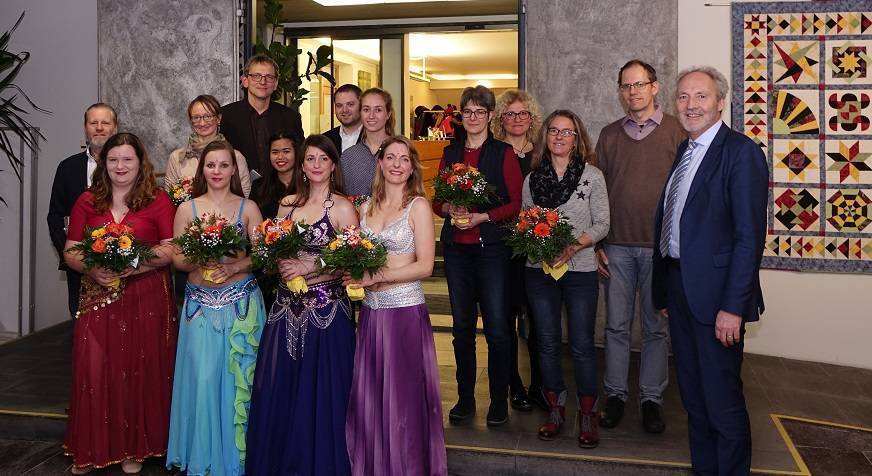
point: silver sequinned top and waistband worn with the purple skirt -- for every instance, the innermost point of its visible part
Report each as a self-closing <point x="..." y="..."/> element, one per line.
<point x="398" y="239"/>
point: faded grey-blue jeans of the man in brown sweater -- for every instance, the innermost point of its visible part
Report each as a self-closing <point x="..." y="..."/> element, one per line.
<point x="630" y="270"/>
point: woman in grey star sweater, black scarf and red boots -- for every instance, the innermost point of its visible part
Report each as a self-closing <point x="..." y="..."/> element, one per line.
<point x="564" y="177"/>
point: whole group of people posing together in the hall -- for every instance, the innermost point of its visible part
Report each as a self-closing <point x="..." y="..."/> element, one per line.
<point x="666" y="208"/>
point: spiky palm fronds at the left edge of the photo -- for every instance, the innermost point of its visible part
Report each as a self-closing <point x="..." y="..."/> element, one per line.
<point x="12" y="122"/>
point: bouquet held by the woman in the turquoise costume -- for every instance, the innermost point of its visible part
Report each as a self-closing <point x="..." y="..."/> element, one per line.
<point x="209" y="238"/>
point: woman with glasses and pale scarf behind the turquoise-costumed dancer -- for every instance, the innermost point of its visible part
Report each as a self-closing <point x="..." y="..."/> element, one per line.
<point x="204" y="112"/>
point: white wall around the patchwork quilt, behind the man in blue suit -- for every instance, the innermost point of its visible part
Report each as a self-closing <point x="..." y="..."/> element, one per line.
<point x="809" y="316"/>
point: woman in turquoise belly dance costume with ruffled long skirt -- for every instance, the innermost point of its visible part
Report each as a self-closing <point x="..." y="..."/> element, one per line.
<point x="219" y="333"/>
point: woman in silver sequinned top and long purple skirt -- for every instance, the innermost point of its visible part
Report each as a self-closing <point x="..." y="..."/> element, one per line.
<point x="395" y="413"/>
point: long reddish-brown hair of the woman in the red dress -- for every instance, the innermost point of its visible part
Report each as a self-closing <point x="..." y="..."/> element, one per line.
<point x="144" y="188"/>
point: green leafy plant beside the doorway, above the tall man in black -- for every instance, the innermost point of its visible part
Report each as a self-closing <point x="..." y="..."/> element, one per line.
<point x="290" y="81"/>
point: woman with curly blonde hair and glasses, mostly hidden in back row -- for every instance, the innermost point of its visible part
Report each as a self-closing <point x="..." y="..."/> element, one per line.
<point x="517" y="120"/>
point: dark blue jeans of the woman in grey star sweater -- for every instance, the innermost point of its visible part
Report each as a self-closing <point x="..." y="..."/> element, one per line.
<point x="579" y="292"/>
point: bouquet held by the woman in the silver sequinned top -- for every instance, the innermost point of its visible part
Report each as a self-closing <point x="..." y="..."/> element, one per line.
<point x="355" y="252"/>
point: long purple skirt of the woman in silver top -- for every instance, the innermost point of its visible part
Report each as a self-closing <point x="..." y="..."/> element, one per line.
<point x="394" y="423"/>
